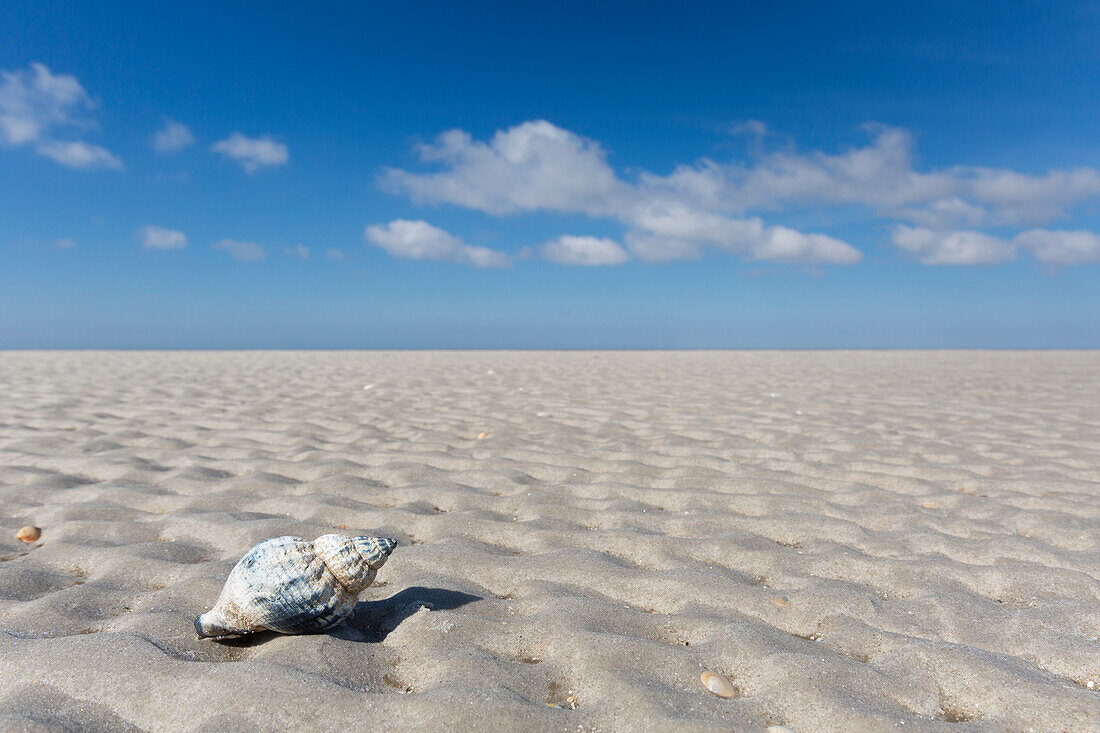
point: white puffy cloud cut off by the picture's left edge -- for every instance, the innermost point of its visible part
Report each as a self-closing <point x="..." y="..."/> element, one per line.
<point x="38" y="107"/>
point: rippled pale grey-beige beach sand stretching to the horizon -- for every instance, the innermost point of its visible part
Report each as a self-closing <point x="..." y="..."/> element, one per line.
<point x="856" y="541"/>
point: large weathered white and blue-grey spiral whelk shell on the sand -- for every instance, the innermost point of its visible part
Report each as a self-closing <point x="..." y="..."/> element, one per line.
<point x="292" y="586"/>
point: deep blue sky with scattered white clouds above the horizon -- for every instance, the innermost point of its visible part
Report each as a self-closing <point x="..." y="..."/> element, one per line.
<point x="512" y="176"/>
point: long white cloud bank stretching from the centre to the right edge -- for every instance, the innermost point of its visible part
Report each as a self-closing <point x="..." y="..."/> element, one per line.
<point x="538" y="167"/>
